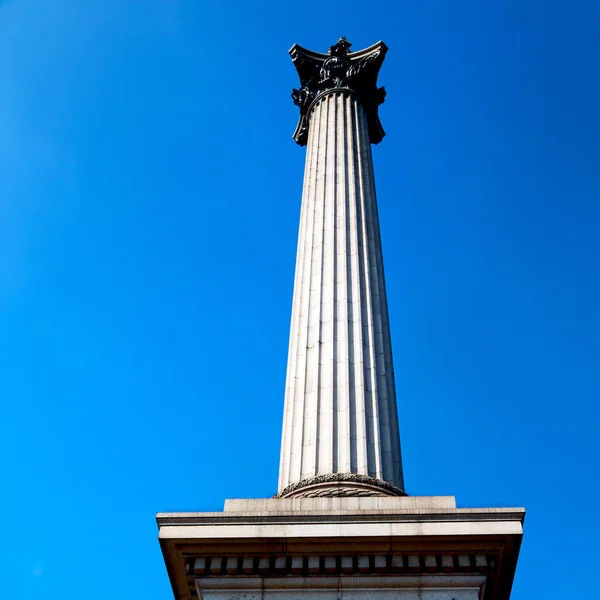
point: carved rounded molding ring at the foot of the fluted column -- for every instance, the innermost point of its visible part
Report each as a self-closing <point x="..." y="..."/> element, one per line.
<point x="340" y="484"/>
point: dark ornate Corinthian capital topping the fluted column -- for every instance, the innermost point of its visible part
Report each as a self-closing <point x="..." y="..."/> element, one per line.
<point x="339" y="69"/>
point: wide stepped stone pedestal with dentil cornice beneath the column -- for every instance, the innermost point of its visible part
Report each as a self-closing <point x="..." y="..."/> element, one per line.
<point x="342" y="548"/>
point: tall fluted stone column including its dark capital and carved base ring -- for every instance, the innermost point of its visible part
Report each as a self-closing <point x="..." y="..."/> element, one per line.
<point x="340" y="426"/>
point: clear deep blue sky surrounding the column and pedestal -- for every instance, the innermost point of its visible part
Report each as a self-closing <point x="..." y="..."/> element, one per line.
<point x="149" y="205"/>
